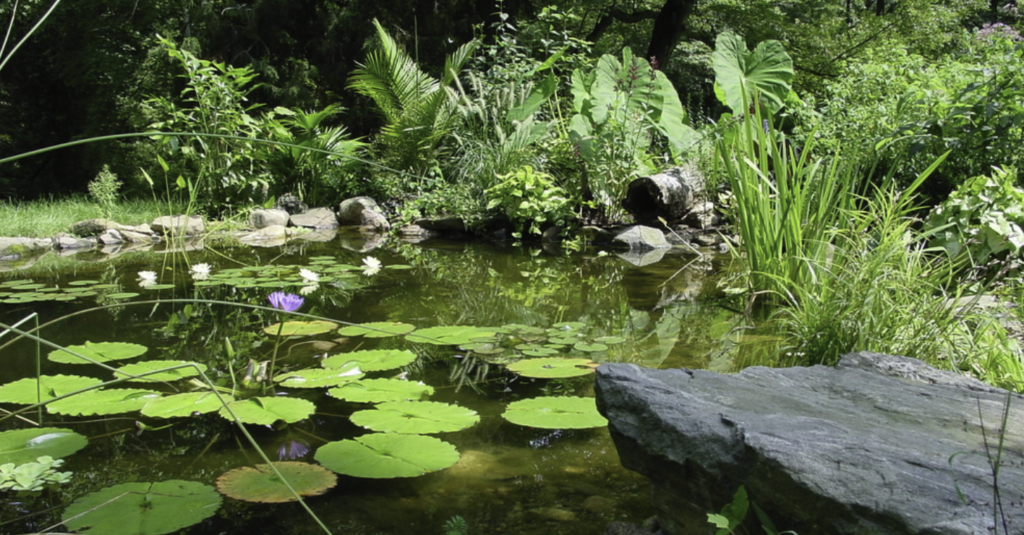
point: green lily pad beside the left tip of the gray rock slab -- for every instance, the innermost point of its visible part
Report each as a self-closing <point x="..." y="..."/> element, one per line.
<point x="556" y="414"/>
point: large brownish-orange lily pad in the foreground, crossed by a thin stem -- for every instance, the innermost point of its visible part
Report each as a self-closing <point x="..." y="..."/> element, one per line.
<point x="262" y="485"/>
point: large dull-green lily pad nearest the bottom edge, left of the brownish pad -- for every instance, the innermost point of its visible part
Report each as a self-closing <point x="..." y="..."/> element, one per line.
<point x="143" y="509"/>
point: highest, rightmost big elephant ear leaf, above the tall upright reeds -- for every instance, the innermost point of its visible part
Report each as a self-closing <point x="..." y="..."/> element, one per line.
<point x="739" y="73"/>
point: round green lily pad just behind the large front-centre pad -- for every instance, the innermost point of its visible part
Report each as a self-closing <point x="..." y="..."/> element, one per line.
<point x="416" y="418"/>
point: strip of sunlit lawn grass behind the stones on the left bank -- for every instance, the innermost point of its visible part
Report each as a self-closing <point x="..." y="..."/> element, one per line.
<point x="47" y="218"/>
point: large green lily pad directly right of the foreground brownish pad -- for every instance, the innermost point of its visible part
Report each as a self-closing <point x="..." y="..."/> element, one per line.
<point x="382" y="456"/>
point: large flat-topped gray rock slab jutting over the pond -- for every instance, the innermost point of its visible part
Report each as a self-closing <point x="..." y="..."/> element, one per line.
<point x="879" y="444"/>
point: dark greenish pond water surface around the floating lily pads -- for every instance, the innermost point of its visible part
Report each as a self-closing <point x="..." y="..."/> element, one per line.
<point x="509" y="479"/>
